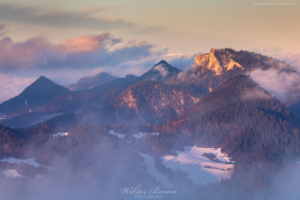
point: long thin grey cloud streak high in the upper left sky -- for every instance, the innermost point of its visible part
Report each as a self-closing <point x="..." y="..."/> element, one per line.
<point x="59" y="19"/>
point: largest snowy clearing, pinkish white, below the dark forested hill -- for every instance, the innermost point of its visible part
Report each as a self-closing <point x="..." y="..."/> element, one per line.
<point x="200" y="168"/>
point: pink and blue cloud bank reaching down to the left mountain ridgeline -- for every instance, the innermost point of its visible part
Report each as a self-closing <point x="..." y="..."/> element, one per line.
<point x="69" y="59"/>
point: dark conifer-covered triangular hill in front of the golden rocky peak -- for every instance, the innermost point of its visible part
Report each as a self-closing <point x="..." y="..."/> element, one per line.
<point x="241" y="117"/>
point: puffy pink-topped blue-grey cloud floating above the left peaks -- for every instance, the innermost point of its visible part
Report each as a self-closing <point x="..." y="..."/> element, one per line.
<point x="86" y="51"/>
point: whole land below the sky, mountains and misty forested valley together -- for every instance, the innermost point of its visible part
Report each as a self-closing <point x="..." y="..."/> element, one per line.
<point x="205" y="131"/>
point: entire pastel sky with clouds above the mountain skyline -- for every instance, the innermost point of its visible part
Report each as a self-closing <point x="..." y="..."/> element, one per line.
<point x="66" y="40"/>
